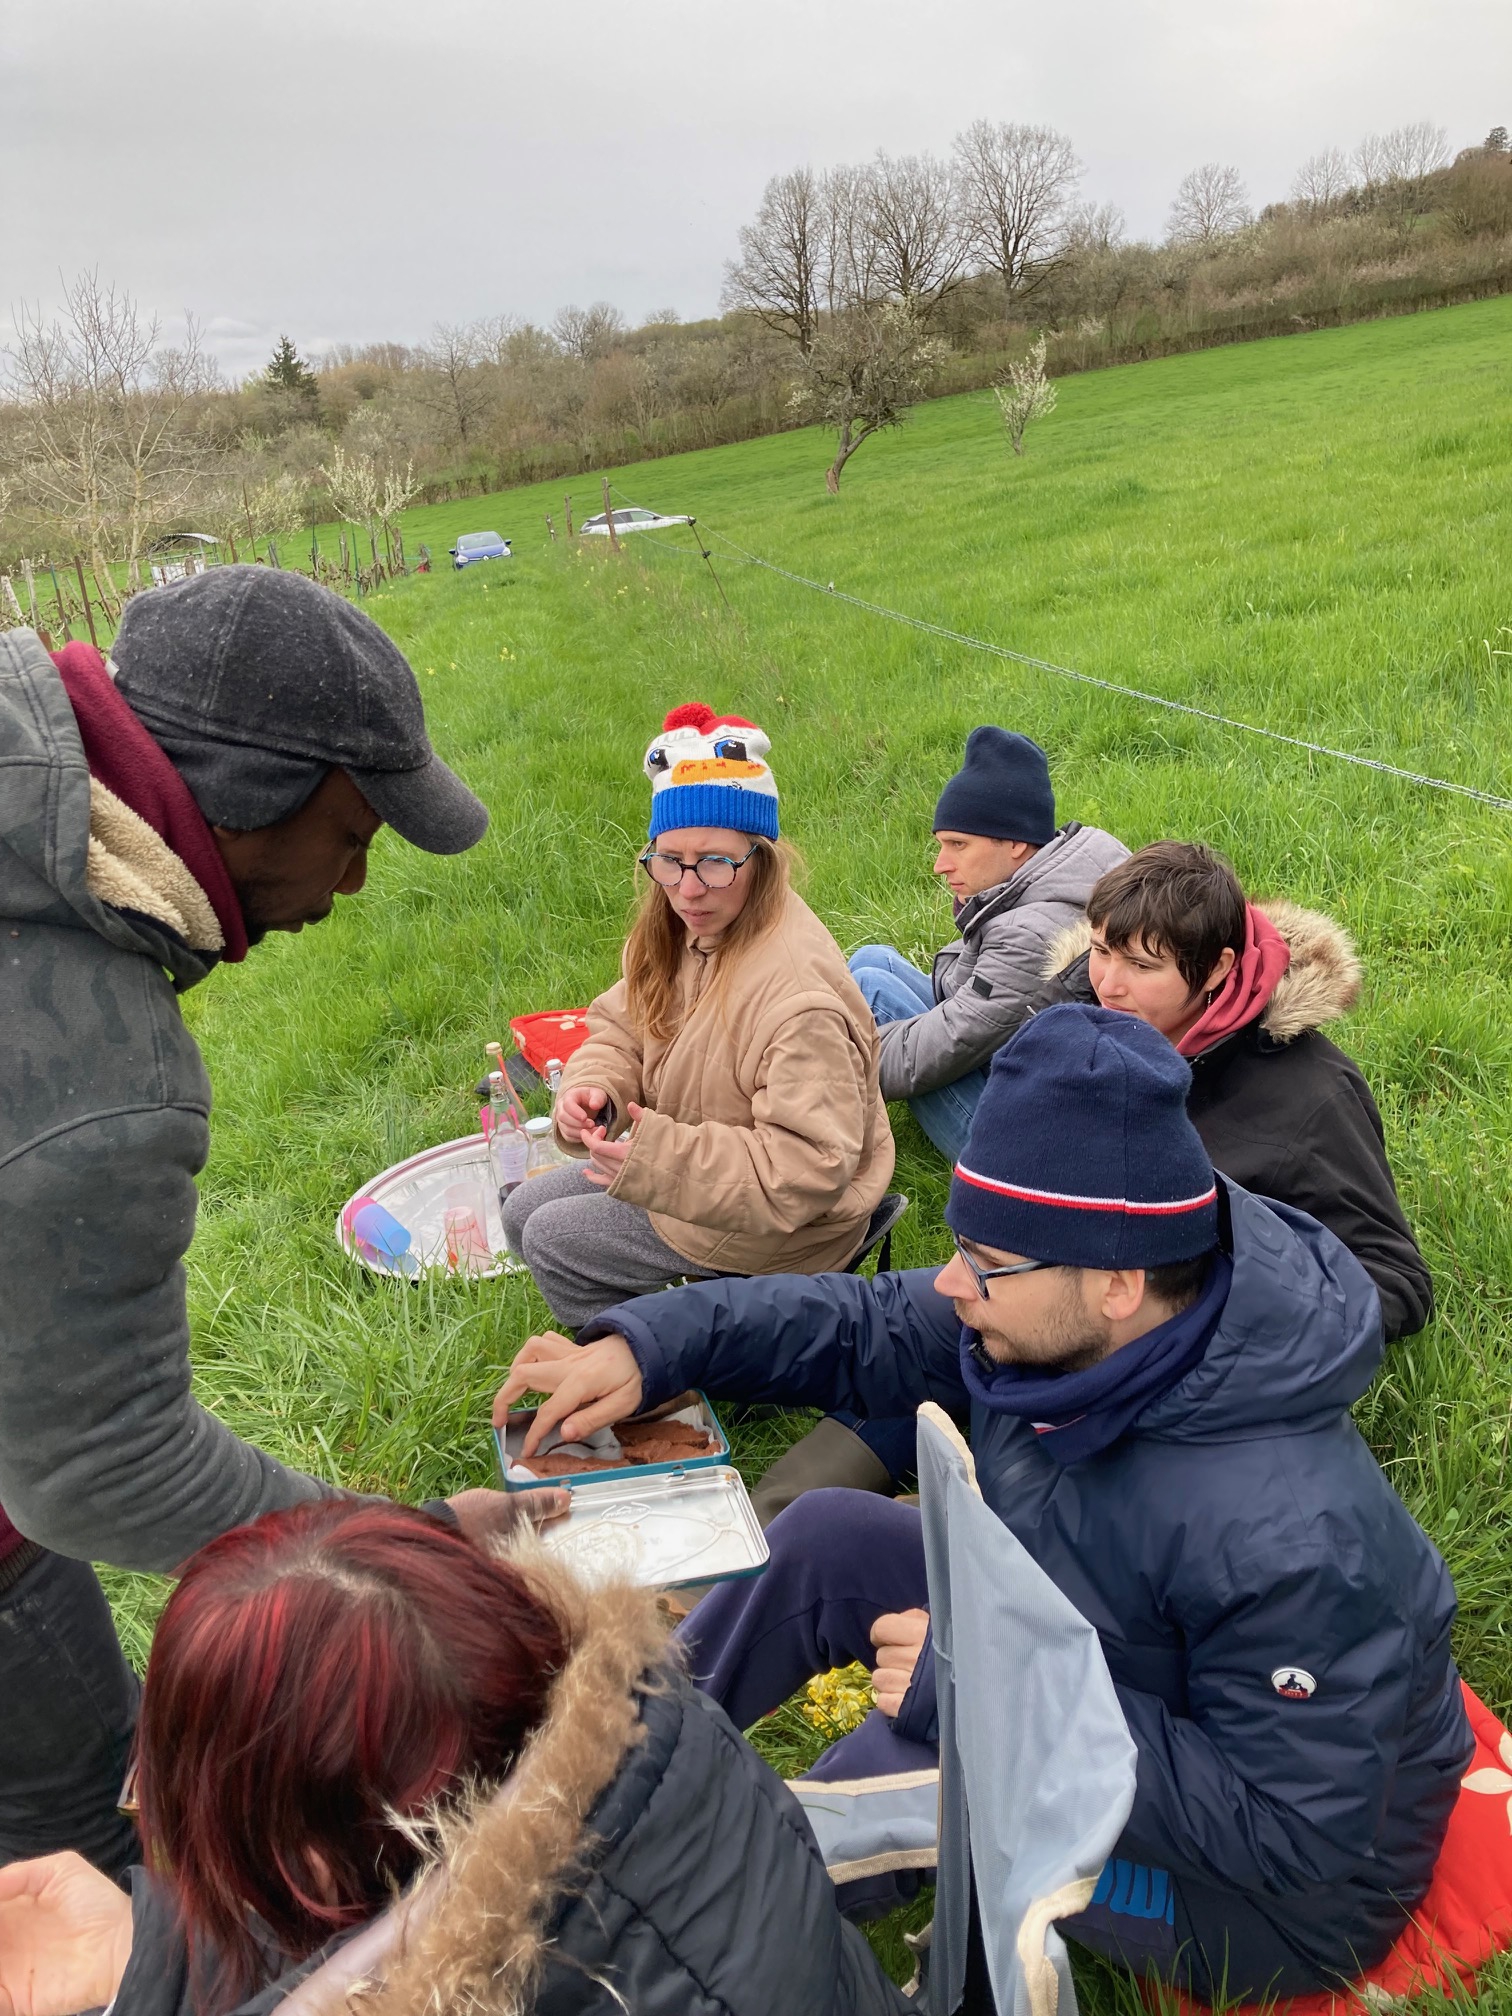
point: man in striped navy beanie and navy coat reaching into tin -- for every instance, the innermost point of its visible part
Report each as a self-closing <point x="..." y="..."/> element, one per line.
<point x="1158" y="1372"/>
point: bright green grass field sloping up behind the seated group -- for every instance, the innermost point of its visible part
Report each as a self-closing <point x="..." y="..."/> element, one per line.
<point x="1309" y="535"/>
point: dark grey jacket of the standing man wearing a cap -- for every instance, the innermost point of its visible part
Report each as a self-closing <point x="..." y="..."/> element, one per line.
<point x="104" y="1128"/>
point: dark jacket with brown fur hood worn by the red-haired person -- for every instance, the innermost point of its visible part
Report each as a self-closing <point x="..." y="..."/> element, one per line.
<point x="640" y="1858"/>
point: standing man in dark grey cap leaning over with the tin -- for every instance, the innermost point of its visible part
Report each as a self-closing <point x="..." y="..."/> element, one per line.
<point x="223" y="777"/>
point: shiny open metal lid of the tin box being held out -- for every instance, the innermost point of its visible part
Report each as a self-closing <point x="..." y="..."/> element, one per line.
<point x="662" y="1531"/>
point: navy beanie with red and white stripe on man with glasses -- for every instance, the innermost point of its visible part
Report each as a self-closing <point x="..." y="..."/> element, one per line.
<point x="1082" y="1150"/>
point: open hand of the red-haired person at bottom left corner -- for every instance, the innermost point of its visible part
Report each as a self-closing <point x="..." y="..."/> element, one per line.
<point x="66" y="1936"/>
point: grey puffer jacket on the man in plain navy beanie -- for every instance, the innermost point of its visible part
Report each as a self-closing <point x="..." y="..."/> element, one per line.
<point x="993" y="977"/>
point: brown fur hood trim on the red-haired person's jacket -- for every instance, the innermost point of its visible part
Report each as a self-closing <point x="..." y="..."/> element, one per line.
<point x="471" y="1936"/>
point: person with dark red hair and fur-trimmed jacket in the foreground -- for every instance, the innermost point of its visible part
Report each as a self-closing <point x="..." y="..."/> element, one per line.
<point x="374" y="1753"/>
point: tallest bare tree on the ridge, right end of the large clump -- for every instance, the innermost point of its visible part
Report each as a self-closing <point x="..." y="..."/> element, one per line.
<point x="1015" y="191"/>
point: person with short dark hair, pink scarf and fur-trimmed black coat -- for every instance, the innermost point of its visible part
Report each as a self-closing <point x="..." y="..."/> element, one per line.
<point x="1245" y="991"/>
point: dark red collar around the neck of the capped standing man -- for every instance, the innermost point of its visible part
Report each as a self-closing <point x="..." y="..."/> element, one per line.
<point x="126" y="759"/>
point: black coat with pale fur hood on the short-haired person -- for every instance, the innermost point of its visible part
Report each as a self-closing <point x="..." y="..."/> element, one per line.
<point x="1287" y="1116"/>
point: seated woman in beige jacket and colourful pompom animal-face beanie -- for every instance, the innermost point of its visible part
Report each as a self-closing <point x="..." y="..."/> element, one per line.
<point x="727" y="1098"/>
